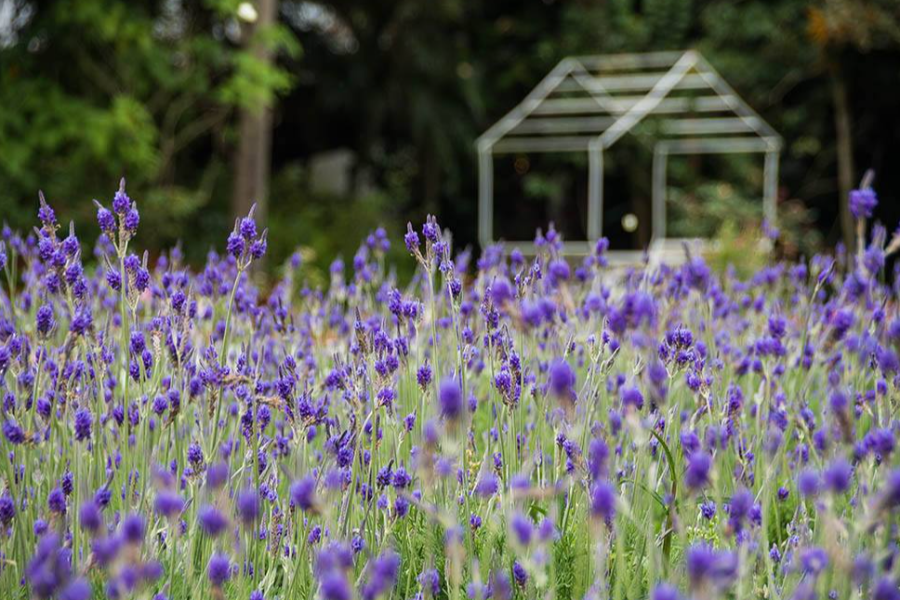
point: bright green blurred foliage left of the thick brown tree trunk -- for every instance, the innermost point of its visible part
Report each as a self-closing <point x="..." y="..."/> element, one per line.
<point x="95" y="89"/>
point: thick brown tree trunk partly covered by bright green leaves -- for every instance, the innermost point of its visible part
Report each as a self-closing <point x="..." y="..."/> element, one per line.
<point x="253" y="155"/>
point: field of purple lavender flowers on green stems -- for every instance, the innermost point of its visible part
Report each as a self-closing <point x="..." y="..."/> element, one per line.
<point x="502" y="427"/>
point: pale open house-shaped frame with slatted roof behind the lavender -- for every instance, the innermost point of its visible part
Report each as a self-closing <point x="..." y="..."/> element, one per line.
<point x="587" y="103"/>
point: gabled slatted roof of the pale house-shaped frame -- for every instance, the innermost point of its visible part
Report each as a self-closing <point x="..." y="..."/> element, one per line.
<point x="597" y="99"/>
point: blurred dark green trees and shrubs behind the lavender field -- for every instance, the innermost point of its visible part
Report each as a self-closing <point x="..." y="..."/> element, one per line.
<point x="339" y="116"/>
